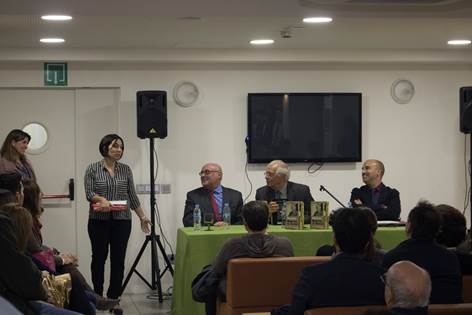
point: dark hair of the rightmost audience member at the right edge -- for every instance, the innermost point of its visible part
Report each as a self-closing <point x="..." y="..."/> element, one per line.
<point x="453" y="229"/>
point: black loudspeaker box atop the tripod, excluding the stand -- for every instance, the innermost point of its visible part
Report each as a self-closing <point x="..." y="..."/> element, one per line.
<point x="152" y="114"/>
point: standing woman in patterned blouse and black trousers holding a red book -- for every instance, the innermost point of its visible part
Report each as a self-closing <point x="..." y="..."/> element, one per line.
<point x="106" y="181"/>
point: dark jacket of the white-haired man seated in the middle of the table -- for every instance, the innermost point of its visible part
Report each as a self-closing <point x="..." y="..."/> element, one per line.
<point x="295" y="192"/>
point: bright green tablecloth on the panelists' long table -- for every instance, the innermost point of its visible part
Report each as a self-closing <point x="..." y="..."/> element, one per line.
<point x="196" y="249"/>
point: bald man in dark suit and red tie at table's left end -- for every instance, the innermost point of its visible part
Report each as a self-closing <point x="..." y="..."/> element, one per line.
<point x="212" y="197"/>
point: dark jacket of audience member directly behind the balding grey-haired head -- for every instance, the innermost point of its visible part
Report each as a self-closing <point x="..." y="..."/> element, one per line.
<point x="441" y="264"/>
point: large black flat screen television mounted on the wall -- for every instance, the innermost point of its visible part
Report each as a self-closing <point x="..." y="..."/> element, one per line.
<point x="304" y="127"/>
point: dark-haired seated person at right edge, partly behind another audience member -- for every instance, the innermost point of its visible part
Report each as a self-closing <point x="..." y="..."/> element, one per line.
<point x="453" y="233"/>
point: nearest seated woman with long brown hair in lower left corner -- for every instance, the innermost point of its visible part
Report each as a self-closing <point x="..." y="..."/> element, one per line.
<point x="20" y="280"/>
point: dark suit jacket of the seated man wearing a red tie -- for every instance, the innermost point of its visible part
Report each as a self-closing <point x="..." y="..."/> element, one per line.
<point x="201" y="196"/>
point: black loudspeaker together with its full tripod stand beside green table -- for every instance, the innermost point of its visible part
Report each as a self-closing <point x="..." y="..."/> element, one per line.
<point x="152" y="123"/>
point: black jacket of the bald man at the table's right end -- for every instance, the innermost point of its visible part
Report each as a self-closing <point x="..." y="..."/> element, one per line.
<point x="388" y="206"/>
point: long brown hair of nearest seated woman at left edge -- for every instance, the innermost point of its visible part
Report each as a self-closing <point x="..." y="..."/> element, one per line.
<point x="22" y="223"/>
